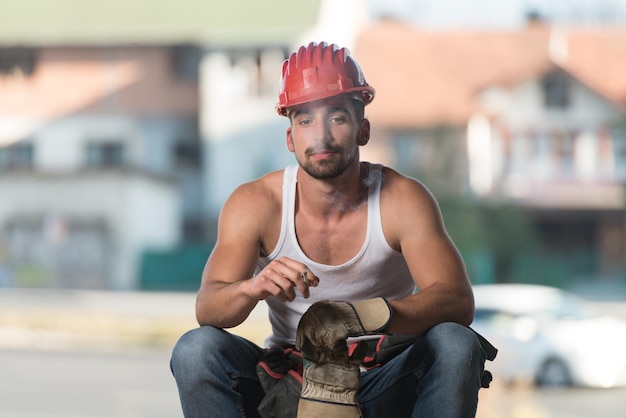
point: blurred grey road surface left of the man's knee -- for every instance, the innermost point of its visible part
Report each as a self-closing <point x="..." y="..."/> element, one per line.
<point x="87" y="385"/>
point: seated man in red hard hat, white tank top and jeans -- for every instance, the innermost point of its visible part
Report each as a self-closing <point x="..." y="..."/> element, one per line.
<point x="337" y="248"/>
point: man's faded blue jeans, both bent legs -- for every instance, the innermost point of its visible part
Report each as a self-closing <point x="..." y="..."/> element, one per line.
<point x="438" y="376"/>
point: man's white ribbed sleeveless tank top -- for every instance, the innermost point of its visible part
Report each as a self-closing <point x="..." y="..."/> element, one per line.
<point x="377" y="269"/>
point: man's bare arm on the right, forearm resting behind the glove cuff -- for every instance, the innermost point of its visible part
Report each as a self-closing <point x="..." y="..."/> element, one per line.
<point x="413" y="225"/>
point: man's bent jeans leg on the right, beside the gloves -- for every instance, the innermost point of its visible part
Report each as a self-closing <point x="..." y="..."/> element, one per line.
<point x="438" y="376"/>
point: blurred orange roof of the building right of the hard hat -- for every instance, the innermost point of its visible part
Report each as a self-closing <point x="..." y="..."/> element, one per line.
<point x="425" y="78"/>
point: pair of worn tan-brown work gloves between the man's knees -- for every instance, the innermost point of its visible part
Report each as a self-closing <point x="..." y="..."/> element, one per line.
<point x="331" y="378"/>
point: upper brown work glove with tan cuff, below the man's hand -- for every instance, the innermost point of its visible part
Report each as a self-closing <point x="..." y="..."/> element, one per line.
<point x="324" y="327"/>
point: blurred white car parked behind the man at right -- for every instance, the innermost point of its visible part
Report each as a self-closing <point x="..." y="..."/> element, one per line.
<point x="549" y="337"/>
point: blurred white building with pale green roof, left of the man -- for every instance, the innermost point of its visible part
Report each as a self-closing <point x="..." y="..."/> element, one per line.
<point x="105" y="152"/>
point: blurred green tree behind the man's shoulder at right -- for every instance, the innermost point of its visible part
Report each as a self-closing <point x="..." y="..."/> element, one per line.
<point x="491" y="237"/>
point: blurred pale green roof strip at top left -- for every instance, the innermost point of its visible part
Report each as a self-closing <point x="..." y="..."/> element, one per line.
<point x="238" y="22"/>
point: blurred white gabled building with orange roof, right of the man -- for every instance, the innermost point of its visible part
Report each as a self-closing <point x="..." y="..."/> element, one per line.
<point x="539" y="115"/>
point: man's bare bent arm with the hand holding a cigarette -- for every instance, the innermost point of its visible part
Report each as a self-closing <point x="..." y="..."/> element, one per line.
<point x="229" y="291"/>
